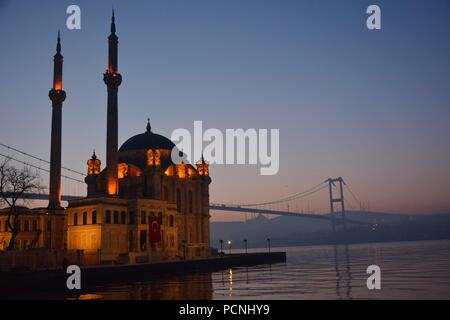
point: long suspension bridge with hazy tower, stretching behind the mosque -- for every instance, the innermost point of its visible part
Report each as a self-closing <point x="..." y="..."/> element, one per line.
<point x="73" y="186"/>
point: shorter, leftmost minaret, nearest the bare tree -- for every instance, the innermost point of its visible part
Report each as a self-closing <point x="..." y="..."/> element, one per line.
<point x="57" y="95"/>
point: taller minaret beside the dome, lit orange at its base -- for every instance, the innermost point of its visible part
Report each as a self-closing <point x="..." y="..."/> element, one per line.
<point x="112" y="79"/>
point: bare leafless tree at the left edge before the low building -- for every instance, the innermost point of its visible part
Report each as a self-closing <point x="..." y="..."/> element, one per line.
<point x="14" y="185"/>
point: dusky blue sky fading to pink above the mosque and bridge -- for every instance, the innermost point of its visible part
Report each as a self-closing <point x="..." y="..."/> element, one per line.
<point x="372" y="106"/>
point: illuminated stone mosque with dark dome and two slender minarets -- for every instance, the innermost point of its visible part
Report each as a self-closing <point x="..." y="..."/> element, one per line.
<point x="140" y="207"/>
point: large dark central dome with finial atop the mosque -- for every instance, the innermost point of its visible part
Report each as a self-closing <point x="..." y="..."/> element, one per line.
<point x="147" y="140"/>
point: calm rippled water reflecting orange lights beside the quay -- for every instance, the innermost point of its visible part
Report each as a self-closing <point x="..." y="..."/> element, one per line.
<point x="409" y="270"/>
